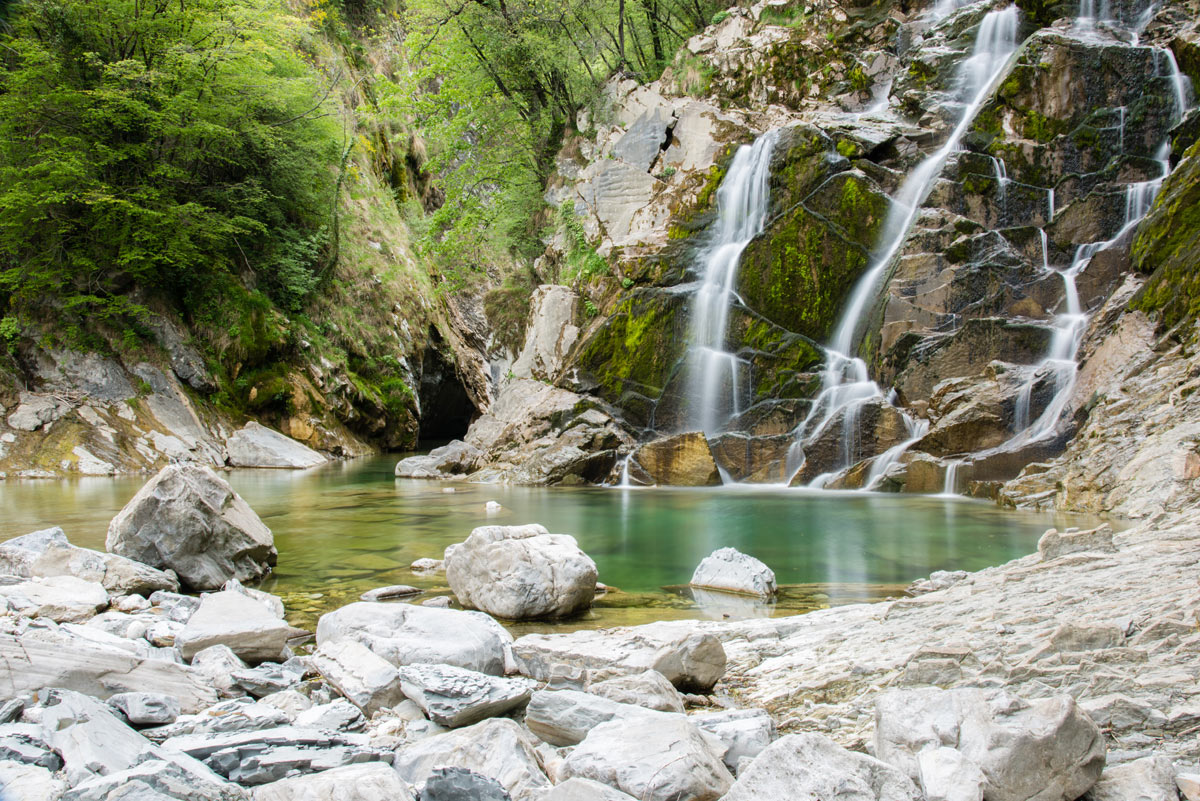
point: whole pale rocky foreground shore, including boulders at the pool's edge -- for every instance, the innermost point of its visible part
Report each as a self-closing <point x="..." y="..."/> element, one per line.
<point x="1067" y="672"/>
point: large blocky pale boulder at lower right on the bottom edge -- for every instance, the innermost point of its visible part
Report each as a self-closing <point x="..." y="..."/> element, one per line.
<point x="1046" y="749"/>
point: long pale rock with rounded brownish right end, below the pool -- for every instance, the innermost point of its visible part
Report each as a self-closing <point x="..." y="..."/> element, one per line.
<point x="692" y="660"/>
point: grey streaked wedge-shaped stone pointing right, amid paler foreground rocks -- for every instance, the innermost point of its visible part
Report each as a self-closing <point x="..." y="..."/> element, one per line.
<point x="455" y="697"/>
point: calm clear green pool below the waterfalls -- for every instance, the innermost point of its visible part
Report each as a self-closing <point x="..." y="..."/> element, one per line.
<point x="349" y="527"/>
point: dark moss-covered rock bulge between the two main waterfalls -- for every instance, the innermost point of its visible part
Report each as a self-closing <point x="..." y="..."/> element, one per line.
<point x="800" y="273"/>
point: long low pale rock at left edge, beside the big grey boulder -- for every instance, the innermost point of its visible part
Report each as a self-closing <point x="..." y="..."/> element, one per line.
<point x="47" y="553"/>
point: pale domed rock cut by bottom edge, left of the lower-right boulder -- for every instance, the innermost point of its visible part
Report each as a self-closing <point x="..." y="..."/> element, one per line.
<point x="812" y="767"/>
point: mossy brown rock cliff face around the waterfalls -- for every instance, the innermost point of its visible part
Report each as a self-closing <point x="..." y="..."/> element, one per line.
<point x="1029" y="291"/>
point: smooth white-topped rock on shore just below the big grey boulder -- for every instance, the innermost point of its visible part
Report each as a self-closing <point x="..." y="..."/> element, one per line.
<point x="237" y="622"/>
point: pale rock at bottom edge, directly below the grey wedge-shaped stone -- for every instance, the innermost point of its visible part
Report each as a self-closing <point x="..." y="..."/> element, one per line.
<point x="499" y="749"/>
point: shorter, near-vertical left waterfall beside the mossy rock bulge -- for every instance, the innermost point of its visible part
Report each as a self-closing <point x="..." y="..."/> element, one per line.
<point x="742" y="206"/>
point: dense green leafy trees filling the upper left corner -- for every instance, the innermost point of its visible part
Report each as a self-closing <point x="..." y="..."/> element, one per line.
<point x="161" y="146"/>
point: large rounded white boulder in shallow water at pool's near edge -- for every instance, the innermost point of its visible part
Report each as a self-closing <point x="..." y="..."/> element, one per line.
<point x="521" y="571"/>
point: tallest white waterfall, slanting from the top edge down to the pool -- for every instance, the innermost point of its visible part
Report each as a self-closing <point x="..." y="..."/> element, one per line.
<point x="847" y="383"/>
